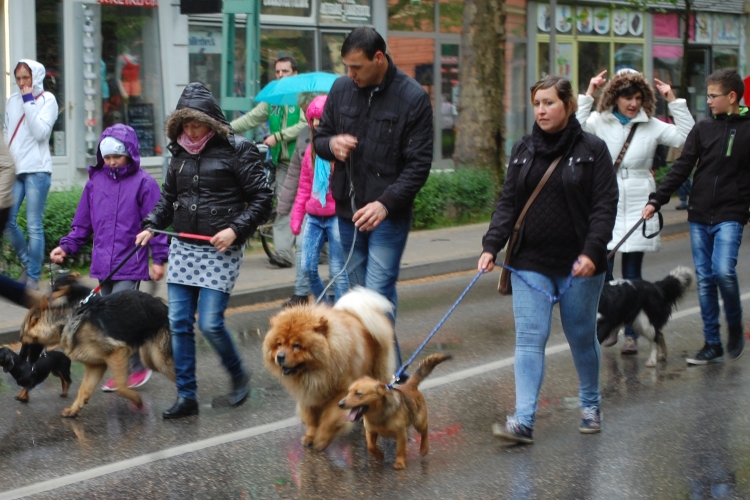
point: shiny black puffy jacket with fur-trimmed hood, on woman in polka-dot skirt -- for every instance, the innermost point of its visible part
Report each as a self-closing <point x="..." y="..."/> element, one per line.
<point x="222" y="187"/>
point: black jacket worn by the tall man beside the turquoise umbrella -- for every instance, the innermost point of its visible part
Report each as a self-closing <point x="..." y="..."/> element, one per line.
<point x="393" y="126"/>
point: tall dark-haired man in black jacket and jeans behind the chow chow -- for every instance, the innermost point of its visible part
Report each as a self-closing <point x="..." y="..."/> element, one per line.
<point x="377" y="126"/>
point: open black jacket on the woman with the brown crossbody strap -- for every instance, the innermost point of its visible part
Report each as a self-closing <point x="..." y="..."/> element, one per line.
<point x="590" y="191"/>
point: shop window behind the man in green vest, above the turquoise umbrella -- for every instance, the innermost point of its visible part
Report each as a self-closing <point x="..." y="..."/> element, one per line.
<point x="299" y="44"/>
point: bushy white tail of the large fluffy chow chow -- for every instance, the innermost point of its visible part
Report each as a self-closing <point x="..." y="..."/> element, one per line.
<point x="371" y="309"/>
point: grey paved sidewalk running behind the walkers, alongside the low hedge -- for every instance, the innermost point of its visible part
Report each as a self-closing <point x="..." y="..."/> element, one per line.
<point x="428" y="253"/>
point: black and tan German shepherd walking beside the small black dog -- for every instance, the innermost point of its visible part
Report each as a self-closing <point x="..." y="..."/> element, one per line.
<point x="103" y="333"/>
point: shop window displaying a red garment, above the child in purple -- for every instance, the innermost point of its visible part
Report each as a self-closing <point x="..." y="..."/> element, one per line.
<point x="130" y="73"/>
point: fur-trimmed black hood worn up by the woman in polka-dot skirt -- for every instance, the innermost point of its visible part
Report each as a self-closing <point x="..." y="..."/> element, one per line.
<point x="197" y="103"/>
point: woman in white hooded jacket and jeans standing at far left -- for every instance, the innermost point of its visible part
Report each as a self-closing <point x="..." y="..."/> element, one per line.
<point x="29" y="117"/>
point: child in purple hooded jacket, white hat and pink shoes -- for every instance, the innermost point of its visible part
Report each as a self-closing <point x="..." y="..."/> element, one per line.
<point x="116" y="198"/>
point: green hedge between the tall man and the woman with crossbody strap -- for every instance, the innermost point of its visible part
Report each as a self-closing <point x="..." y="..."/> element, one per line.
<point x="459" y="197"/>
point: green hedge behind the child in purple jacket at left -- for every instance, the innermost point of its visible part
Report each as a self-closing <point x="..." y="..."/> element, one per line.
<point x="58" y="214"/>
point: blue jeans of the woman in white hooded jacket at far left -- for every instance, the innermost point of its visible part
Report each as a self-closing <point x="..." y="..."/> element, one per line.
<point x="34" y="187"/>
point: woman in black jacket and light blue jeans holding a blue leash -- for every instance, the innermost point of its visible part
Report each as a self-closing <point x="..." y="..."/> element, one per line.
<point x="561" y="252"/>
